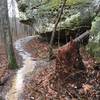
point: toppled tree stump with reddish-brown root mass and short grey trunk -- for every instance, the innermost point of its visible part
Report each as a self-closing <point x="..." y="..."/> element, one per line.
<point x="69" y="55"/>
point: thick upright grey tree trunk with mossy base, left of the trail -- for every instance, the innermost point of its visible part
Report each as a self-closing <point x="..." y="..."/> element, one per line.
<point x="7" y="34"/>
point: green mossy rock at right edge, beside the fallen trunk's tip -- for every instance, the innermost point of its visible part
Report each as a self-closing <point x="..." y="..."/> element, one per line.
<point x="94" y="45"/>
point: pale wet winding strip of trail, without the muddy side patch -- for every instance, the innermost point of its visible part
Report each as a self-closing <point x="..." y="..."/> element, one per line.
<point x="17" y="83"/>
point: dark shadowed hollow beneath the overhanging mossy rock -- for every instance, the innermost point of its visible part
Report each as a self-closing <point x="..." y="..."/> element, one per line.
<point x="63" y="35"/>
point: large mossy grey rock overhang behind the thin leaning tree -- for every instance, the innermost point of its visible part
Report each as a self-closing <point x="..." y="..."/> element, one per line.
<point x="44" y="12"/>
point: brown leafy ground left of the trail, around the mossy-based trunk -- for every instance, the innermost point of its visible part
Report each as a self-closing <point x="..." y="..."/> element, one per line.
<point x="5" y="72"/>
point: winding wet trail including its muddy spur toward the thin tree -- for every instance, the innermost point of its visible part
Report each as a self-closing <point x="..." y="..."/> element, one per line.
<point x="29" y="64"/>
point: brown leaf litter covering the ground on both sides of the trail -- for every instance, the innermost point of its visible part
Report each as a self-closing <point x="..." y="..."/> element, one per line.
<point x="47" y="85"/>
